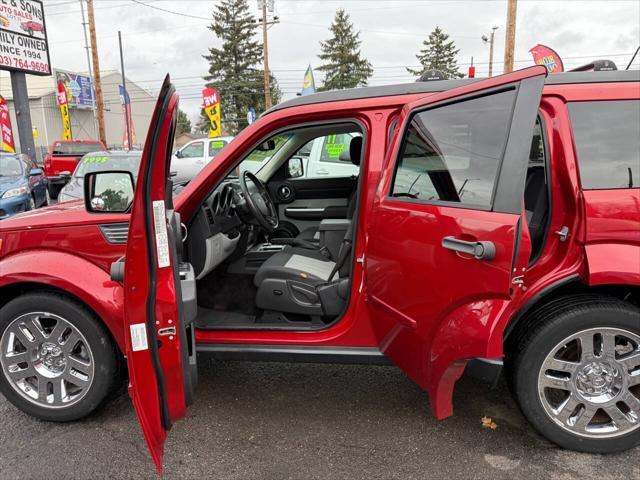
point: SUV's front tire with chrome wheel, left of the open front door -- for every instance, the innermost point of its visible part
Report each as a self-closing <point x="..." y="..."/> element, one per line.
<point x="58" y="362"/>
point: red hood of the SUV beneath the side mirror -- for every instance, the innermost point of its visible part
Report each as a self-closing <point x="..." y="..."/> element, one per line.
<point x="62" y="215"/>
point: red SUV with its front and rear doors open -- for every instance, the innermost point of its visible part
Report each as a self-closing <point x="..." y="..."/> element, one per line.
<point x="491" y="221"/>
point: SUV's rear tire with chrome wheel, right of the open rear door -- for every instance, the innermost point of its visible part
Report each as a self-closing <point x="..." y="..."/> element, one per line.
<point x="576" y="375"/>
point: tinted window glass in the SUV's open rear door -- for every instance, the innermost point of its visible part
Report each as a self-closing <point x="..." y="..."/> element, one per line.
<point x="453" y="153"/>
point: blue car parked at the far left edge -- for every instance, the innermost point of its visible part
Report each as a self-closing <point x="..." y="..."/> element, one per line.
<point x="23" y="185"/>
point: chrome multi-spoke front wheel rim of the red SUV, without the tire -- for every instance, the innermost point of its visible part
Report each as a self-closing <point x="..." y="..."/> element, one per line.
<point x="46" y="360"/>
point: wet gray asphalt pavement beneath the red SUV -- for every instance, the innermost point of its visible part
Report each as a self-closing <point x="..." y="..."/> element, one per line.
<point x="273" y="420"/>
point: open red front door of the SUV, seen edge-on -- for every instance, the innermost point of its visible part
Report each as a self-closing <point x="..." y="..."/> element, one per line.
<point x="159" y="290"/>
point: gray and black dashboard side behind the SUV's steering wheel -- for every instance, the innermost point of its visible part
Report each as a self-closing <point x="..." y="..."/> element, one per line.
<point x="216" y="230"/>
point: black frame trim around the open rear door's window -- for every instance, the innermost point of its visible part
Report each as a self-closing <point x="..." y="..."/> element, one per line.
<point x="447" y="203"/>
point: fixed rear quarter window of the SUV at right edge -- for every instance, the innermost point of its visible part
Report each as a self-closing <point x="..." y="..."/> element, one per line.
<point x="607" y="138"/>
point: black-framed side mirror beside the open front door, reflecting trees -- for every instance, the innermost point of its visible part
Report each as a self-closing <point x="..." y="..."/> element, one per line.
<point x="108" y="192"/>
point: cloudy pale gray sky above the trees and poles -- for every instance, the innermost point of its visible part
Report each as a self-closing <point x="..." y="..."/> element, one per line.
<point x="157" y="41"/>
